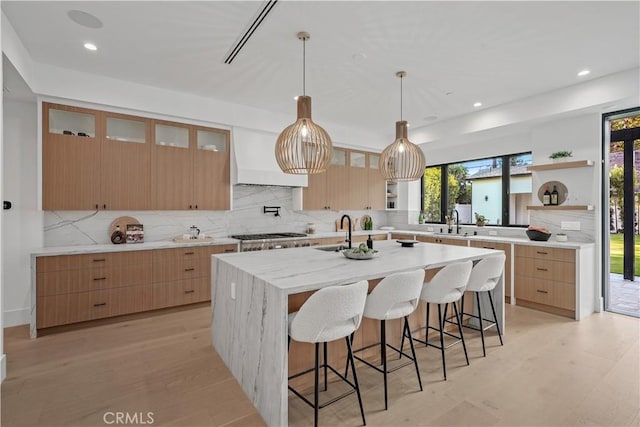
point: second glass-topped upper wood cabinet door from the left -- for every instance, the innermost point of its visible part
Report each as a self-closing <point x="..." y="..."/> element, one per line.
<point x="126" y="163"/>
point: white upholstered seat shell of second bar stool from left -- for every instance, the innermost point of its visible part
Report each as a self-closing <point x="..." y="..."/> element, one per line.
<point x="396" y="296"/>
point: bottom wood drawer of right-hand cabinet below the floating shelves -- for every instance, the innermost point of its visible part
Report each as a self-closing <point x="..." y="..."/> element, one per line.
<point x="557" y="294"/>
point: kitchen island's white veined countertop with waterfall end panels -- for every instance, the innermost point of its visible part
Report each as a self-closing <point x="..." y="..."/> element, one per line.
<point x="250" y="305"/>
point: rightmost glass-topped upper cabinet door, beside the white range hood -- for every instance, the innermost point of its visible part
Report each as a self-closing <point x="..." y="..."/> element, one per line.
<point x="211" y="182"/>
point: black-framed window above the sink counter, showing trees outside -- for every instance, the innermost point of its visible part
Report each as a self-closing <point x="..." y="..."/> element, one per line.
<point x="498" y="188"/>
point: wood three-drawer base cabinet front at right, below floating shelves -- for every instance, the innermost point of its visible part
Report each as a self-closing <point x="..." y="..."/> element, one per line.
<point x="545" y="279"/>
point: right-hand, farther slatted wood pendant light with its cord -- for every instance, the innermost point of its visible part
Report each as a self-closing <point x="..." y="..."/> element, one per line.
<point x="402" y="160"/>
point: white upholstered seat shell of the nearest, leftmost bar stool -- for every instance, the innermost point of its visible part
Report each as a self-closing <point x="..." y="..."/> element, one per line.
<point x="330" y="313"/>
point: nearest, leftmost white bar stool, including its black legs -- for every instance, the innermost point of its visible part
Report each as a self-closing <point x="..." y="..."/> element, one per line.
<point x="329" y="314"/>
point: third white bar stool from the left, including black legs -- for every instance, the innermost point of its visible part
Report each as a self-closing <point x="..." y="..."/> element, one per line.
<point x="446" y="287"/>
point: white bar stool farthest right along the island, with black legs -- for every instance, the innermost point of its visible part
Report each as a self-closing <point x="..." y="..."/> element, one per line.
<point x="485" y="275"/>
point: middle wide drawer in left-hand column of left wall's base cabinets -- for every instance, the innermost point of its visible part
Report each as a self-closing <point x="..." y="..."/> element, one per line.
<point x="94" y="279"/>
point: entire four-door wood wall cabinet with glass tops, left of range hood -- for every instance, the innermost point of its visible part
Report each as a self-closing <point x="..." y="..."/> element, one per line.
<point x="101" y="160"/>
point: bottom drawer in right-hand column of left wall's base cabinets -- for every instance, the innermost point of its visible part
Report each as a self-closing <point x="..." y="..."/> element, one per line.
<point x="168" y="294"/>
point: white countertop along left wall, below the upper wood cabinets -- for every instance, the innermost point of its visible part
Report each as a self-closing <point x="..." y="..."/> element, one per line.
<point x="165" y="244"/>
